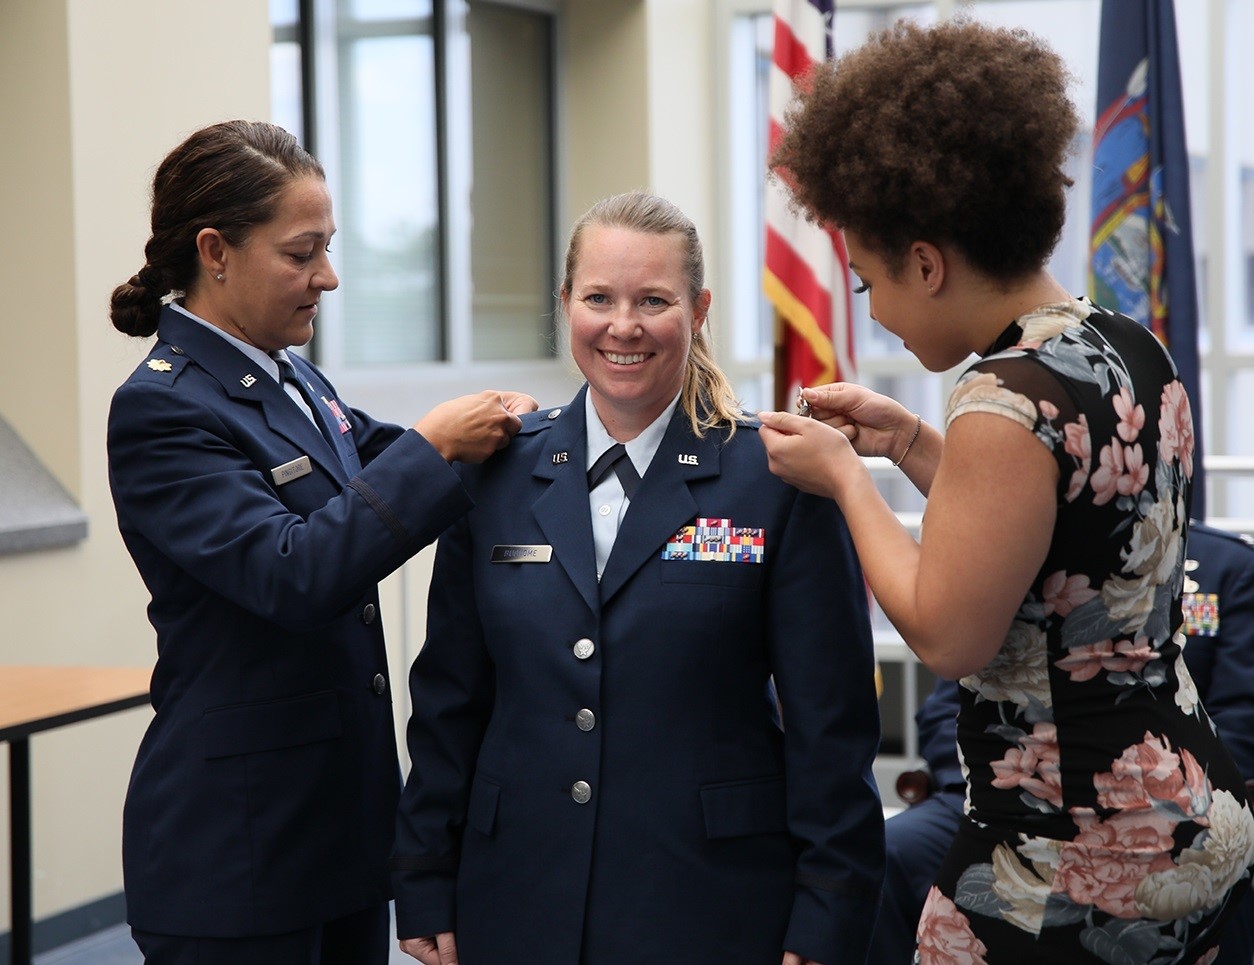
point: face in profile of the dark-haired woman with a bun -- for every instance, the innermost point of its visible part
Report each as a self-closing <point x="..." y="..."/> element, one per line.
<point x="271" y="284"/>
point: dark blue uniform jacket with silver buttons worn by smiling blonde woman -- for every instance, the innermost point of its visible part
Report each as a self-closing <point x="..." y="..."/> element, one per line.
<point x="596" y="779"/>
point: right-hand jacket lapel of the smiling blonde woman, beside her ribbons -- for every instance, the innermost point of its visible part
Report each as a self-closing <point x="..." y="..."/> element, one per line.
<point x="664" y="502"/>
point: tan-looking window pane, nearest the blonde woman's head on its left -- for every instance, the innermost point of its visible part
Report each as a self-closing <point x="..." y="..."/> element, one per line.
<point x="511" y="195"/>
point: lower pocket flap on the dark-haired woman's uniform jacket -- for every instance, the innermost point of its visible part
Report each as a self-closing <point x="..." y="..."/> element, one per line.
<point x="248" y="729"/>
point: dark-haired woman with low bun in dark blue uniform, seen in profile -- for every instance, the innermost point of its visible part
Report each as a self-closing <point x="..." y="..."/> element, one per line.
<point x="261" y="517"/>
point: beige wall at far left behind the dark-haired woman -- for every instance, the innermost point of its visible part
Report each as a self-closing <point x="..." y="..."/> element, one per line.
<point x="97" y="93"/>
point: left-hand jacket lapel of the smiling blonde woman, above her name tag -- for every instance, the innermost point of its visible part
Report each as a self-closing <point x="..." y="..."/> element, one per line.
<point x="562" y="509"/>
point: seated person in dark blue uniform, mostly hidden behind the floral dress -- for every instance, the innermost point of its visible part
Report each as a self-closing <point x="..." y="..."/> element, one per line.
<point x="1220" y="622"/>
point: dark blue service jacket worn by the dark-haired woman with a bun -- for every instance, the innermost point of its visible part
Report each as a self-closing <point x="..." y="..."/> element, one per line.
<point x="263" y="798"/>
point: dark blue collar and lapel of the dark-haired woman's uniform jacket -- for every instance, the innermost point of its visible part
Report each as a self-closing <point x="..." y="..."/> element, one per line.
<point x="240" y="379"/>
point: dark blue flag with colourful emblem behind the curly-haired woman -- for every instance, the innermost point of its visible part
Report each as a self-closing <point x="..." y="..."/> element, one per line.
<point x="1142" y="237"/>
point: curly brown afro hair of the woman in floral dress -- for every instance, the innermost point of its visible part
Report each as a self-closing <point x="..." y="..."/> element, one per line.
<point x="955" y="133"/>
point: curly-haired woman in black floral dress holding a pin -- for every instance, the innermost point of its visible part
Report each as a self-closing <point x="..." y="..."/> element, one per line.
<point x="1105" y="822"/>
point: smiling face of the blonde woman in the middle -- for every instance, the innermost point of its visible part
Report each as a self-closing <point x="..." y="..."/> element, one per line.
<point x="633" y="320"/>
